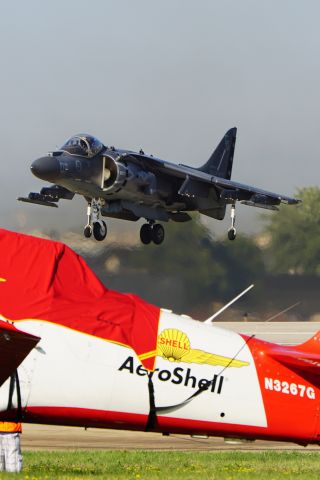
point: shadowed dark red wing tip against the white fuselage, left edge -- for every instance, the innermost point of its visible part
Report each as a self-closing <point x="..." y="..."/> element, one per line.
<point x="14" y="347"/>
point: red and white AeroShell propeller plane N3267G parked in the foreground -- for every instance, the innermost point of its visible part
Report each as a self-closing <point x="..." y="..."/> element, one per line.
<point x="74" y="353"/>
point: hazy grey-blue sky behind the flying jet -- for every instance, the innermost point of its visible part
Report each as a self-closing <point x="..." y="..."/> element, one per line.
<point x="169" y="76"/>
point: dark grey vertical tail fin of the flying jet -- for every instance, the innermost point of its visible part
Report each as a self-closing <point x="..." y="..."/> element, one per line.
<point x="220" y="162"/>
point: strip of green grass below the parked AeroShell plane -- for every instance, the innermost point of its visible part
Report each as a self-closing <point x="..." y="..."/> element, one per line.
<point x="143" y="465"/>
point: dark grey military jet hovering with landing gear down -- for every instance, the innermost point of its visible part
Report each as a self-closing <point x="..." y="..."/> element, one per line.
<point x="132" y="185"/>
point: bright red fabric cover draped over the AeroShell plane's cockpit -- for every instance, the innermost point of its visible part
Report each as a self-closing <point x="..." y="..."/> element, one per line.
<point x="45" y="280"/>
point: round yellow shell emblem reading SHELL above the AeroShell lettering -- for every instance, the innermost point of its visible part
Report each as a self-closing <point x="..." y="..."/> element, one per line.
<point x="173" y="344"/>
